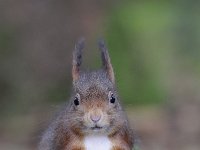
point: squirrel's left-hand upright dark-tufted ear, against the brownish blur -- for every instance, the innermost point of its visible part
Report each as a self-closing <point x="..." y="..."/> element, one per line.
<point x="77" y="59"/>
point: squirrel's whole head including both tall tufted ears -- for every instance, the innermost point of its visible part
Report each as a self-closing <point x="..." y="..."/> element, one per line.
<point x="94" y="105"/>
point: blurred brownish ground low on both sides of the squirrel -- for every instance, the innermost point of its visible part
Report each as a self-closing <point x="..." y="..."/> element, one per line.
<point x="155" y="128"/>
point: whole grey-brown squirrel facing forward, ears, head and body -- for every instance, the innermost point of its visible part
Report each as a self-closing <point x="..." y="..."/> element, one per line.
<point x="93" y="119"/>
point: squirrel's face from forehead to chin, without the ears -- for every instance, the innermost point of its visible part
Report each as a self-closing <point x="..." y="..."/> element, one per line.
<point x="95" y="103"/>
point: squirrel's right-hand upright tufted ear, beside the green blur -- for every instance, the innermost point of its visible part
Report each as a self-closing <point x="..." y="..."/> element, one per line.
<point x="106" y="60"/>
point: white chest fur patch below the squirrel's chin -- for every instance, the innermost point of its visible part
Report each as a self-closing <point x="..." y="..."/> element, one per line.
<point x="97" y="142"/>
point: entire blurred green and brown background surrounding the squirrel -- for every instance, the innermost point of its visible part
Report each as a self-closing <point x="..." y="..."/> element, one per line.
<point x="154" y="48"/>
